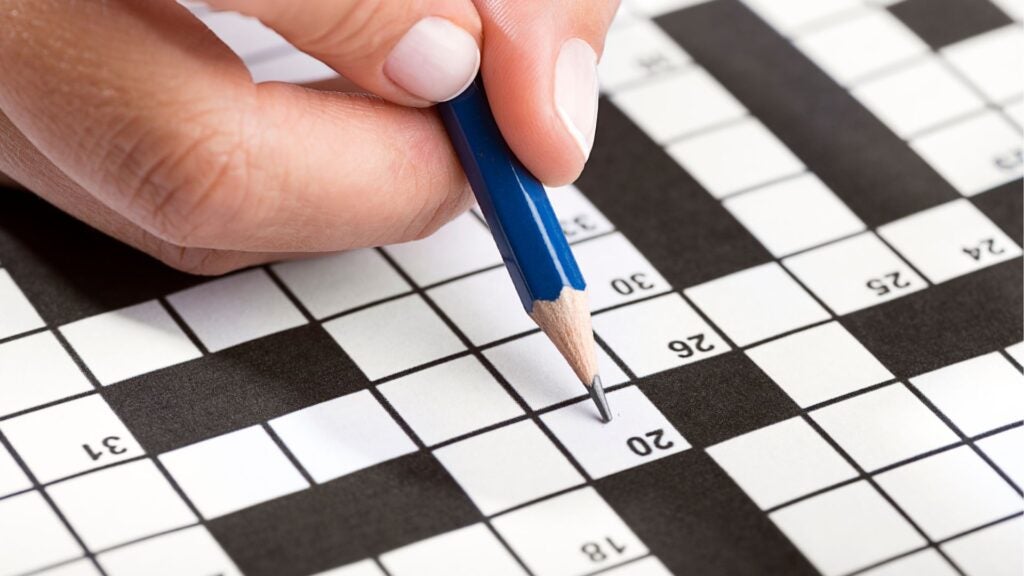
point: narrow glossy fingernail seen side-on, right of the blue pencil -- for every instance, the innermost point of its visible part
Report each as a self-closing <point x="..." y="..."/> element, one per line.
<point x="576" y="92"/>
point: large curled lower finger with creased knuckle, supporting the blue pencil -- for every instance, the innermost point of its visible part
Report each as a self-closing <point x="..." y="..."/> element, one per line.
<point x="149" y="112"/>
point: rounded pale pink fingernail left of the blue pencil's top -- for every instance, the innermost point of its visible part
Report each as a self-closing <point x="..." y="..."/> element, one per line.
<point x="435" y="61"/>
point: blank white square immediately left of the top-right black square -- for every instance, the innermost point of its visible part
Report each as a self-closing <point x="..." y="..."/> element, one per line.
<point x="855" y="48"/>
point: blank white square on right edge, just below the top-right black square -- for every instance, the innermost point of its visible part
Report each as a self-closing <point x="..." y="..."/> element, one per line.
<point x="992" y="62"/>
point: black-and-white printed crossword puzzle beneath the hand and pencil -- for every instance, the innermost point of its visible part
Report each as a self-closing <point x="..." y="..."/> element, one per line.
<point x="801" y="229"/>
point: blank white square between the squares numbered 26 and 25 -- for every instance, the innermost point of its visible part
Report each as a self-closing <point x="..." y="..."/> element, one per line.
<point x="757" y="304"/>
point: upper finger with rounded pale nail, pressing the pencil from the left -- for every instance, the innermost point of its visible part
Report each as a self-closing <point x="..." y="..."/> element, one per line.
<point x="411" y="53"/>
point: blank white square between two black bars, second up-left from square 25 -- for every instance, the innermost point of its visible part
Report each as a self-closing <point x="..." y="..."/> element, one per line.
<point x="736" y="157"/>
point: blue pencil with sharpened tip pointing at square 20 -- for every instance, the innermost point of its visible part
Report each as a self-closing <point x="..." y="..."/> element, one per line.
<point x="529" y="235"/>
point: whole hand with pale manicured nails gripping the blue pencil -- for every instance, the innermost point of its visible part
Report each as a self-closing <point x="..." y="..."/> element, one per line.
<point x="134" y="117"/>
